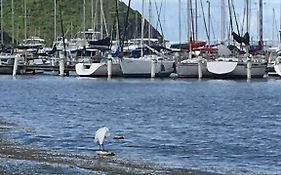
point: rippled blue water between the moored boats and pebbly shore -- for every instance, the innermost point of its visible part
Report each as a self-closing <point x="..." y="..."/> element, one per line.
<point x="215" y="125"/>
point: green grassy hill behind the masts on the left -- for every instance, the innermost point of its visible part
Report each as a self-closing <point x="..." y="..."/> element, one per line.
<point x="40" y="20"/>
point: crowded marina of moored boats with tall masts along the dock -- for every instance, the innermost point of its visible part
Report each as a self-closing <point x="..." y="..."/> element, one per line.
<point x="92" y="52"/>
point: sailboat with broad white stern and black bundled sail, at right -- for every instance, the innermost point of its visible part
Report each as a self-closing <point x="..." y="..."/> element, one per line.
<point x="238" y="65"/>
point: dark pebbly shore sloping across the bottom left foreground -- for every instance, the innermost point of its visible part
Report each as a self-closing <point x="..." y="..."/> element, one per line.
<point x="18" y="159"/>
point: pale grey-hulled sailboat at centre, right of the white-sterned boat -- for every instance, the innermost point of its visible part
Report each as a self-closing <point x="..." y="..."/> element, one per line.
<point x="146" y="60"/>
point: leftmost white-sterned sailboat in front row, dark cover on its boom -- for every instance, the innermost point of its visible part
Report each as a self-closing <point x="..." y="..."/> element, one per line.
<point x="94" y="57"/>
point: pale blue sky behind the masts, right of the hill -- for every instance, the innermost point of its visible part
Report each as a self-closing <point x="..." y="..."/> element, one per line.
<point x="170" y="18"/>
